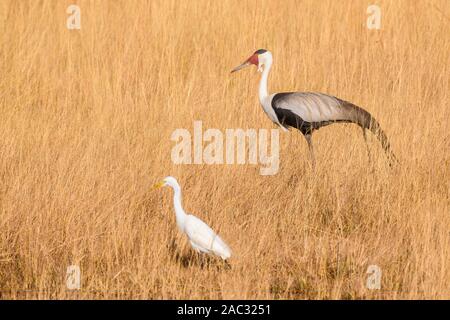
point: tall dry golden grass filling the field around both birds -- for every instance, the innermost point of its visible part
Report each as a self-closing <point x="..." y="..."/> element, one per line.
<point x="86" y="120"/>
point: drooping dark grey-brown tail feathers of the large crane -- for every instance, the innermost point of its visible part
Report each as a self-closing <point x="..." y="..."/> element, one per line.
<point x="365" y="120"/>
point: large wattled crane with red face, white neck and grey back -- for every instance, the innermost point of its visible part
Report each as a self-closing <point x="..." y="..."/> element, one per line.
<point x="309" y="111"/>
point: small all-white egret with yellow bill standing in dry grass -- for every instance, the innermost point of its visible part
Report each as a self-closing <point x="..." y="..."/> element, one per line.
<point x="201" y="236"/>
